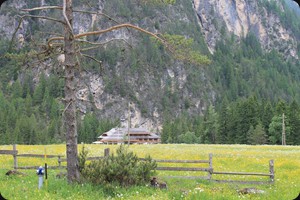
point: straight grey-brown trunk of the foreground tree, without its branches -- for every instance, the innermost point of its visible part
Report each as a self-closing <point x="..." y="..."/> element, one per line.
<point x="70" y="123"/>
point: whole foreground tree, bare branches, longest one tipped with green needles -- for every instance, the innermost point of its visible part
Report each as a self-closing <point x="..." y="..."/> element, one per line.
<point x="69" y="43"/>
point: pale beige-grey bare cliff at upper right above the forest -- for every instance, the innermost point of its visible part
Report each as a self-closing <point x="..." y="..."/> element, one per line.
<point x="240" y="17"/>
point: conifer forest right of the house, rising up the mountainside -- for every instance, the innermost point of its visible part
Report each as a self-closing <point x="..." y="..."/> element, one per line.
<point x="255" y="89"/>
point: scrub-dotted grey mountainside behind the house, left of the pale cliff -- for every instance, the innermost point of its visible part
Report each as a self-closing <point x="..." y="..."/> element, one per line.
<point x="144" y="75"/>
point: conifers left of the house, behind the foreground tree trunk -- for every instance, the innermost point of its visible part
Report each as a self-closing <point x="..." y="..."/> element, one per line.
<point x="32" y="114"/>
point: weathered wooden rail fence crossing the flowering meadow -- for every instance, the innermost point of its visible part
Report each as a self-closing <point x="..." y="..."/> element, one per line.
<point x="209" y="166"/>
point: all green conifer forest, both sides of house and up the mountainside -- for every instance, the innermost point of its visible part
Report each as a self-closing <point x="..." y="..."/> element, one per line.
<point x="30" y="113"/>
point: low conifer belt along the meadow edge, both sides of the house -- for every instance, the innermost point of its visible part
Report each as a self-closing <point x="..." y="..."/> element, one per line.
<point x="31" y="114"/>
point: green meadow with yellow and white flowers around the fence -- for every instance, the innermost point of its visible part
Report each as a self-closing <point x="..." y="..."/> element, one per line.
<point x="238" y="158"/>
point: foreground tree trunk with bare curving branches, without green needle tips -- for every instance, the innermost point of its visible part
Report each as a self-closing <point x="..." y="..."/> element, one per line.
<point x="70" y="52"/>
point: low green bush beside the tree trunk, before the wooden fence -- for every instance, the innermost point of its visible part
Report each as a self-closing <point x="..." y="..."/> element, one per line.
<point x="124" y="169"/>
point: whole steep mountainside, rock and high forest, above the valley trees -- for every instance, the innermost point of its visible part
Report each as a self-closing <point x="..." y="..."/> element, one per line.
<point x="157" y="85"/>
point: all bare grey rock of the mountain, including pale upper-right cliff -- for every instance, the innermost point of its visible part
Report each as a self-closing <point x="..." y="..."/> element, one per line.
<point x="149" y="89"/>
